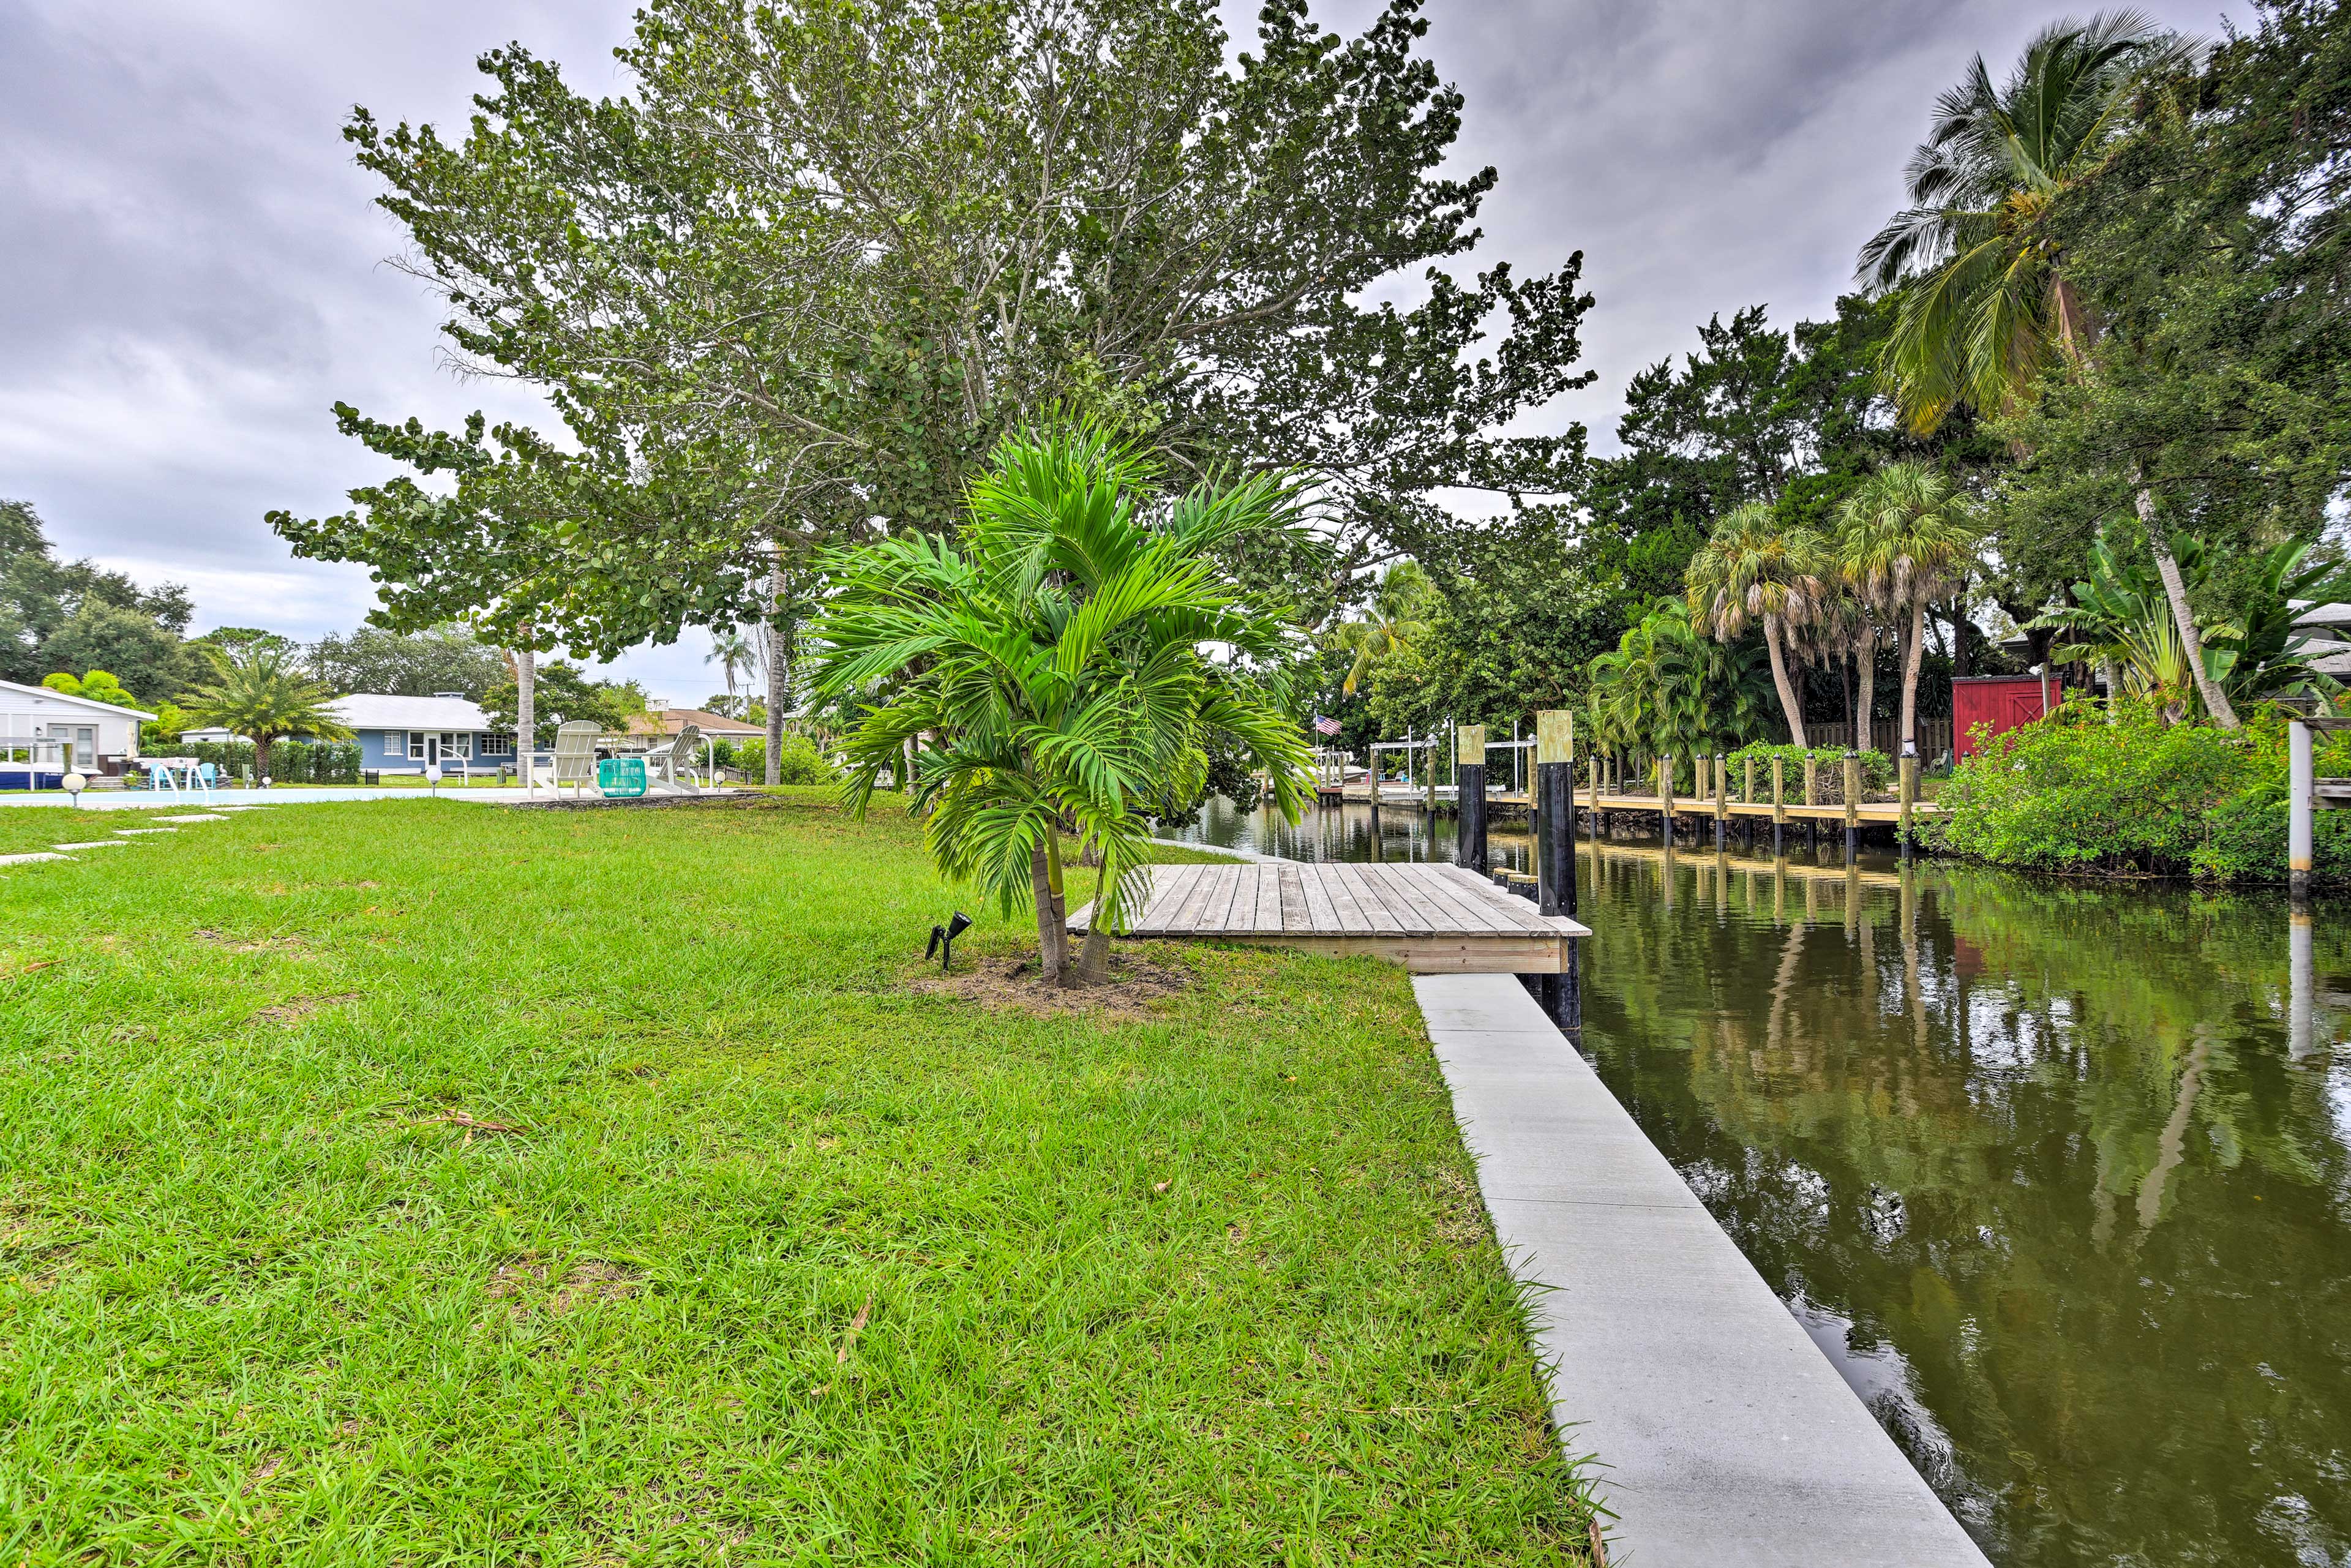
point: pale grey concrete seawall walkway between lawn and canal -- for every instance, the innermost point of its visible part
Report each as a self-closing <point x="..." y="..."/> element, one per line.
<point x="1722" y="1435"/>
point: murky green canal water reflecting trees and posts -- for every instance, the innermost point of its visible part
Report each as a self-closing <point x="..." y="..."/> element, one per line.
<point x="2058" y="1177"/>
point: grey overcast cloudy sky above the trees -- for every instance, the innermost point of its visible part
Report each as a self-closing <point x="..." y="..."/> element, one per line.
<point x="192" y="269"/>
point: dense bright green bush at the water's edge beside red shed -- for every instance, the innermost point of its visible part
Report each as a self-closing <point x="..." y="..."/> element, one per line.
<point x="2138" y="796"/>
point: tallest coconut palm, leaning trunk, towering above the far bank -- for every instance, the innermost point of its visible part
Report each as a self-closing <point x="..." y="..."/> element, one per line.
<point x="1985" y="302"/>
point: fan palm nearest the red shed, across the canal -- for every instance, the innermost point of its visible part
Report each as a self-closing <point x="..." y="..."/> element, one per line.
<point x="1905" y="537"/>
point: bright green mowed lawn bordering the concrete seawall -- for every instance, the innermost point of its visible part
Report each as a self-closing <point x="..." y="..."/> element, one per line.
<point x="441" y="1184"/>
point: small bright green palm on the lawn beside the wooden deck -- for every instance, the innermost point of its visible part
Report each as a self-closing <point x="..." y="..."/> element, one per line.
<point x="1066" y="659"/>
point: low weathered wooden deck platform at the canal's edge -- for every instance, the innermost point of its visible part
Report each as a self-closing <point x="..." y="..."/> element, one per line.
<point x="1431" y="918"/>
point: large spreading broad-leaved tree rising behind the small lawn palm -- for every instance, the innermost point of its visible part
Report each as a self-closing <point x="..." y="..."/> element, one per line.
<point x="817" y="257"/>
